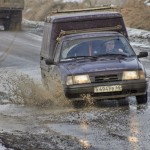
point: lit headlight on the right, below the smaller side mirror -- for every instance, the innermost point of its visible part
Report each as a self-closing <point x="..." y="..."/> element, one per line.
<point x="133" y="75"/>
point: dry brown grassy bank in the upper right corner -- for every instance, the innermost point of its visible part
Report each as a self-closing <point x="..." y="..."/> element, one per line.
<point x="136" y="14"/>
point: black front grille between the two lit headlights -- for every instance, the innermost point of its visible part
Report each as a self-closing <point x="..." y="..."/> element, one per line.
<point x="106" y="78"/>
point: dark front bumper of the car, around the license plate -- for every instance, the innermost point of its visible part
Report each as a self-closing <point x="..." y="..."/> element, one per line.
<point x="129" y="88"/>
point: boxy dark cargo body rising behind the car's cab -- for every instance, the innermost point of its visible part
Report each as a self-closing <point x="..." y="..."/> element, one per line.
<point x="58" y="24"/>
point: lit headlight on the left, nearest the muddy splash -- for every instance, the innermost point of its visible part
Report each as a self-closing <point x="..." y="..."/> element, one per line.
<point x="78" y="79"/>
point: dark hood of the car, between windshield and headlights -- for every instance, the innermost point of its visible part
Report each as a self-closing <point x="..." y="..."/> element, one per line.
<point x="80" y="66"/>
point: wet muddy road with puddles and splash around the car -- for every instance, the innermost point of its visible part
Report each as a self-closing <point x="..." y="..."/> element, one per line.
<point x="31" y="121"/>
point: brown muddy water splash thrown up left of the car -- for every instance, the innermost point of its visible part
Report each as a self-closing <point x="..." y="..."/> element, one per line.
<point x="21" y="89"/>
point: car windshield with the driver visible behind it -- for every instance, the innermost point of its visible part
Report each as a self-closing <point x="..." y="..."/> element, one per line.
<point x="96" y="47"/>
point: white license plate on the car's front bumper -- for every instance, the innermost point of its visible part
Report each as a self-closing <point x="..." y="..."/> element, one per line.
<point x="113" y="88"/>
